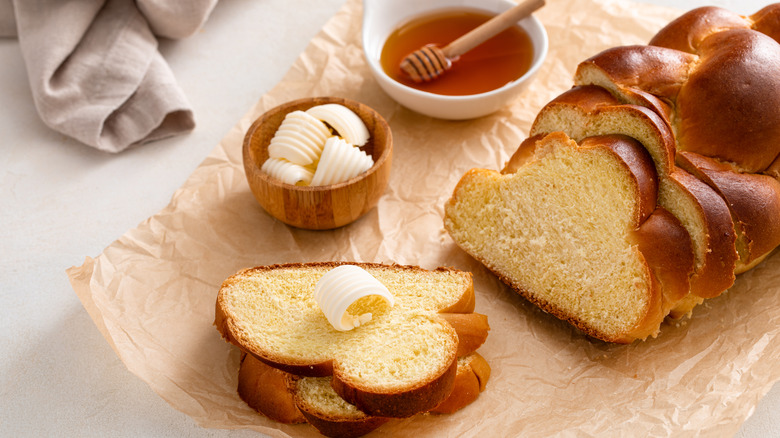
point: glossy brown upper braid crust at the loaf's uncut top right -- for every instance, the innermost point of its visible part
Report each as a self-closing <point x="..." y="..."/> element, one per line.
<point x="718" y="72"/>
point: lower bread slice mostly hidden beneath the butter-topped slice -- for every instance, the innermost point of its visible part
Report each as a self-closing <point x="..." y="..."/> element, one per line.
<point x="292" y="399"/>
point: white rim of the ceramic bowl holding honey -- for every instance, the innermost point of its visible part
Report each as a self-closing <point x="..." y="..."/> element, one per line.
<point x="539" y="58"/>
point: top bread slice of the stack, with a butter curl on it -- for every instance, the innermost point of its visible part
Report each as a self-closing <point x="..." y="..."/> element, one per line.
<point x="402" y="362"/>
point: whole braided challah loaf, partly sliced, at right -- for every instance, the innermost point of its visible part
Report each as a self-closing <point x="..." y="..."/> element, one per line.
<point x="645" y="188"/>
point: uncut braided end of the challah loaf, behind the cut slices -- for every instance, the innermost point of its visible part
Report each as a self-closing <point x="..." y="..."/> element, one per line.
<point x="718" y="74"/>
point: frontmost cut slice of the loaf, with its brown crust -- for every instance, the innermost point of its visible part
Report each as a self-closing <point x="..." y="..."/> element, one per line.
<point x="565" y="229"/>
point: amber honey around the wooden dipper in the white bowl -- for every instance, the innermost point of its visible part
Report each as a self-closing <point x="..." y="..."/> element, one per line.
<point x="489" y="66"/>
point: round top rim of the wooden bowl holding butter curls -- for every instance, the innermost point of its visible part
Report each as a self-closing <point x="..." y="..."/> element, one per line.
<point x="248" y="155"/>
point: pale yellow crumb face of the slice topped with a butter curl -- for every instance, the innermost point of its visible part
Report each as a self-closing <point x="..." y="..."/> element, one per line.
<point x="275" y="316"/>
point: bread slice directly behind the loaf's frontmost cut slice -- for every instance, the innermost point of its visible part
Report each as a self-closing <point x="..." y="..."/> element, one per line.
<point x="586" y="111"/>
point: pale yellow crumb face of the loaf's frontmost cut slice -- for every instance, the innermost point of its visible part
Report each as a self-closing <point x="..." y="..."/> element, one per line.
<point x="557" y="229"/>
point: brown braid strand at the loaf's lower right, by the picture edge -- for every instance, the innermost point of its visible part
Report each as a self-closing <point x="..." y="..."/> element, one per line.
<point x="754" y="201"/>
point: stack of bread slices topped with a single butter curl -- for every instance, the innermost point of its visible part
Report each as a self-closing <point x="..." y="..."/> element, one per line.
<point x="416" y="356"/>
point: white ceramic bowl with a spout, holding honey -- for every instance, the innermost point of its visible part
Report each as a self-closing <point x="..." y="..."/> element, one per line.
<point x="381" y="17"/>
